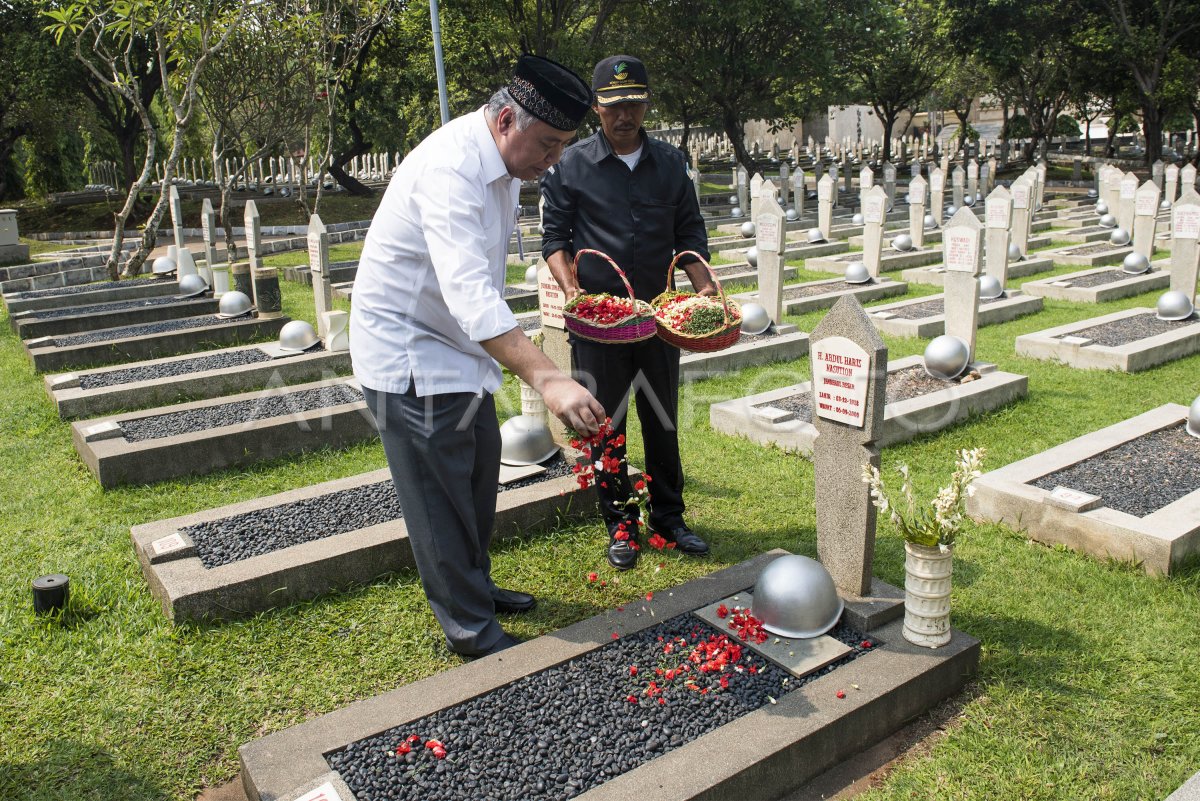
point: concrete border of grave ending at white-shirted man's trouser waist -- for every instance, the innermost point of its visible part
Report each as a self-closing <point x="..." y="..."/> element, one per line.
<point x="115" y="461"/>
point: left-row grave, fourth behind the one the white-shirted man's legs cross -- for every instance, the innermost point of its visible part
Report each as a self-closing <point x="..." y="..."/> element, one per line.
<point x="50" y="323"/>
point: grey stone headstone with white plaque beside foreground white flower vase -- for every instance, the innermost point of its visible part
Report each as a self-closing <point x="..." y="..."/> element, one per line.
<point x="850" y="364"/>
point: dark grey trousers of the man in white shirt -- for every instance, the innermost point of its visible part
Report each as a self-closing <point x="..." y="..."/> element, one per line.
<point x="445" y="455"/>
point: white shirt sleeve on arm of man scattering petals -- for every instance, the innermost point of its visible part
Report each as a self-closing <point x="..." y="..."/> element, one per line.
<point x="454" y="221"/>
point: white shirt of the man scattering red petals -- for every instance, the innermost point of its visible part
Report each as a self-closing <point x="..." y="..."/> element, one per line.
<point x="430" y="285"/>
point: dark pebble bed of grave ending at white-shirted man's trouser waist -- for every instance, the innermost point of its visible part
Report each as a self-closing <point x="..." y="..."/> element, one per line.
<point x="239" y="412"/>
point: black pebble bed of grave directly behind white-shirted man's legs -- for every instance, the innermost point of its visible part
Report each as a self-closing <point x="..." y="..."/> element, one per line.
<point x="262" y="532"/>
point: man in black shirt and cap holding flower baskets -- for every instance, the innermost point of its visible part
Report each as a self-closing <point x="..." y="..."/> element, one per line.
<point x="626" y="195"/>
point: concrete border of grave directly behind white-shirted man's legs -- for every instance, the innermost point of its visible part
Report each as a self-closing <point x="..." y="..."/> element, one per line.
<point x="189" y="591"/>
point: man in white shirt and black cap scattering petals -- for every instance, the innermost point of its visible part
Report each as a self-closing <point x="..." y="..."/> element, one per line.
<point x="429" y="324"/>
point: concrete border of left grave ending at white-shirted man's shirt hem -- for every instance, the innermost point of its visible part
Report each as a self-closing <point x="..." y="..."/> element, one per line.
<point x="73" y="401"/>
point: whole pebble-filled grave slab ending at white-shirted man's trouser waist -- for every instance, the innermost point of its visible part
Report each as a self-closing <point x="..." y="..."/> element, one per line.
<point x="116" y="457"/>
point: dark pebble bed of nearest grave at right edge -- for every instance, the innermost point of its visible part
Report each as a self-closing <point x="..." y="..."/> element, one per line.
<point x="1139" y="477"/>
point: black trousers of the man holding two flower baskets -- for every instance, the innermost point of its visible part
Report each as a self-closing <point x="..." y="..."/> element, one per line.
<point x="650" y="371"/>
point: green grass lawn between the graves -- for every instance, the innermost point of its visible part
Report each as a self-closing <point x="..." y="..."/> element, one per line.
<point x="1087" y="688"/>
